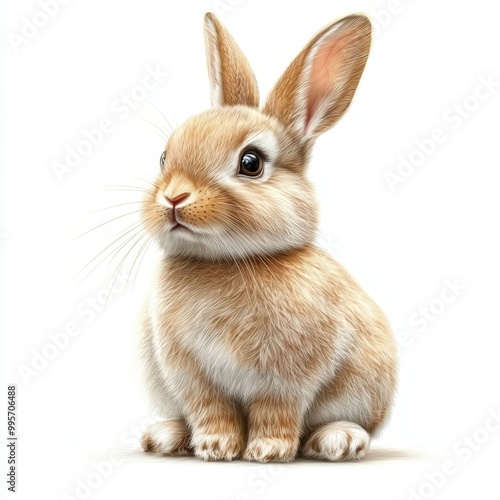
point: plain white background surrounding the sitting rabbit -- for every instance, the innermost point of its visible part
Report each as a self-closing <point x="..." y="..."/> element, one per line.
<point x="402" y="244"/>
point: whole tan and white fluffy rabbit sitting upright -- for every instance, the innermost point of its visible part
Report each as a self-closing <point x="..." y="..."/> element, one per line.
<point x="255" y="343"/>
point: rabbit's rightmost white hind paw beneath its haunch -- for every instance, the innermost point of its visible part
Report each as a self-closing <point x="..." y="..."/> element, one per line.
<point x="337" y="441"/>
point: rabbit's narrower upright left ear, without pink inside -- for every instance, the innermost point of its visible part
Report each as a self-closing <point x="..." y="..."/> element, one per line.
<point x="232" y="81"/>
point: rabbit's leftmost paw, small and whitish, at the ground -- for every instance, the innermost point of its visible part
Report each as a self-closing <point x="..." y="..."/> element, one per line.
<point x="169" y="437"/>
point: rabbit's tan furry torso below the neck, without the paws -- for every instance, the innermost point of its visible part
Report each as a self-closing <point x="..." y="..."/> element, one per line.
<point x="277" y="327"/>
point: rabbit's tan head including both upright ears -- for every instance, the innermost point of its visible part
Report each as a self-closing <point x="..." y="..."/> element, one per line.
<point x="233" y="179"/>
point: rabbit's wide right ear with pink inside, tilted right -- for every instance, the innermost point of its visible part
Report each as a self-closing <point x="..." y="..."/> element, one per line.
<point x="317" y="88"/>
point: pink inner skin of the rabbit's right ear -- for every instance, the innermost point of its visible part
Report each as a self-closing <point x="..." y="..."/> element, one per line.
<point x="329" y="68"/>
